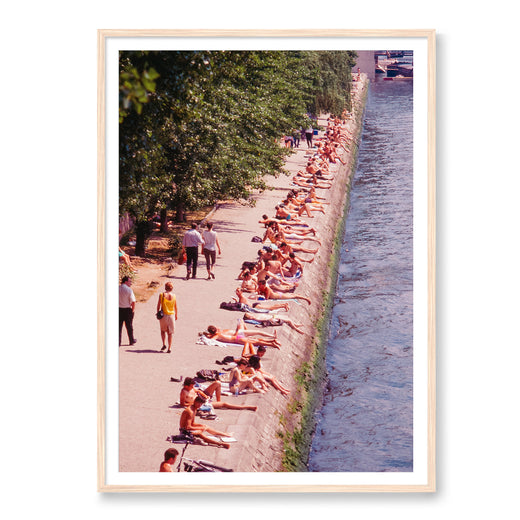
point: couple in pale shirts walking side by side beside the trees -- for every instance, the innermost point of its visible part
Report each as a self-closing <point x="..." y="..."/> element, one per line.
<point x="209" y="242"/>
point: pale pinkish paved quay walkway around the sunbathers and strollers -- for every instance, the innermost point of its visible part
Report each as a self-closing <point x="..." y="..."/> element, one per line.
<point x="148" y="413"/>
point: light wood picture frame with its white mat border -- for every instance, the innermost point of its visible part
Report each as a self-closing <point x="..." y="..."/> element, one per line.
<point x="422" y="477"/>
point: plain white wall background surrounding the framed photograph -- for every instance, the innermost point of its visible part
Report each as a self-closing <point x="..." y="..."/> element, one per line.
<point x="48" y="261"/>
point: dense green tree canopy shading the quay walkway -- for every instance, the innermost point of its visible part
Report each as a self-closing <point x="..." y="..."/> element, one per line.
<point x="201" y="126"/>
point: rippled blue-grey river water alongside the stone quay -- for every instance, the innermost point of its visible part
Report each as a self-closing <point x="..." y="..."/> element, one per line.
<point x="365" y="423"/>
